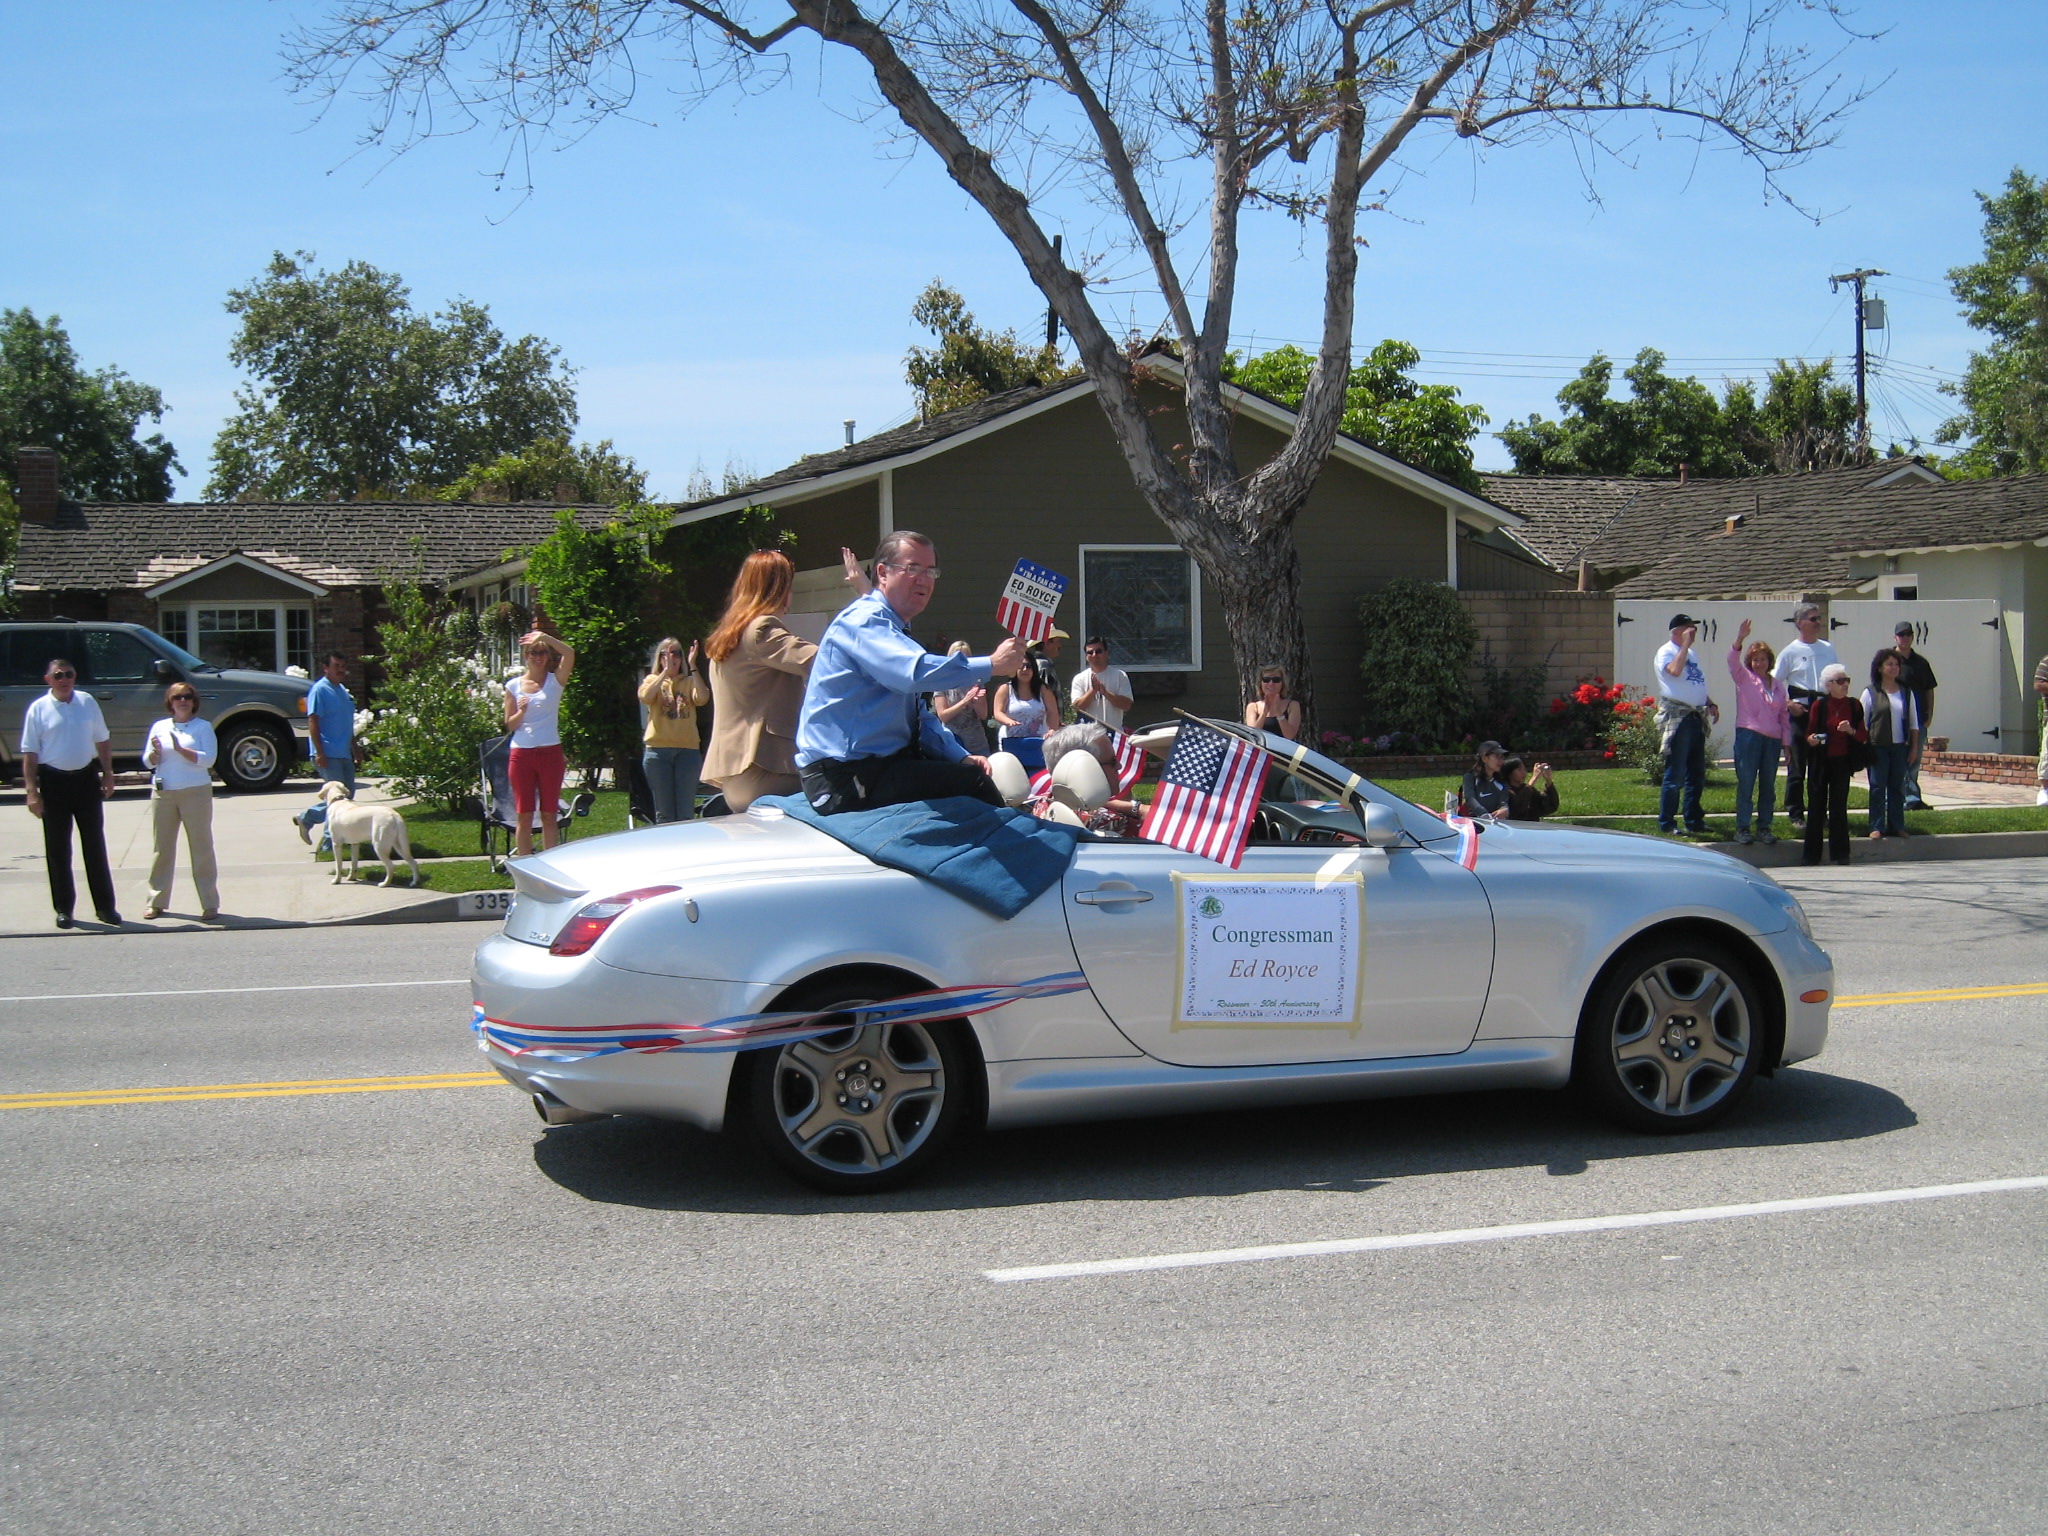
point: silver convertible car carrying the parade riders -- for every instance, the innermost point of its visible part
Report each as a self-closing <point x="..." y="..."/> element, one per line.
<point x="855" y="1019"/>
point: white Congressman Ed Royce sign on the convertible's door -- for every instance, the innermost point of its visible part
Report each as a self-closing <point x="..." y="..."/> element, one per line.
<point x="1271" y="953"/>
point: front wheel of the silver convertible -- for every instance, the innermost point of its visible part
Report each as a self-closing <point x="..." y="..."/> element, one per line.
<point x="1670" y="1037"/>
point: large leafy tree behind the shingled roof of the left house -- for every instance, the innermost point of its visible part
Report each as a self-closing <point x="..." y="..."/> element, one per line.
<point x="355" y="394"/>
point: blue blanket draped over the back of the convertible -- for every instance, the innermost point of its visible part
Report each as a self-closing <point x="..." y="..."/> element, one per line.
<point x="988" y="855"/>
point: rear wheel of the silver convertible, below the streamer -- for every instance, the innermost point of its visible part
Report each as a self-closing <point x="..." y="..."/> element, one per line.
<point x="863" y="1109"/>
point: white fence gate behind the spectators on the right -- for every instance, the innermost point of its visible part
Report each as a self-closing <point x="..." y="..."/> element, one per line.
<point x="1961" y="638"/>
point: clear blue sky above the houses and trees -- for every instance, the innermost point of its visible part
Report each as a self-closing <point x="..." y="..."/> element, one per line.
<point x="738" y="282"/>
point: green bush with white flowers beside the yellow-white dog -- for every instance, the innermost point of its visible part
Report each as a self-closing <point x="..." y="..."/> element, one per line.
<point x="437" y="701"/>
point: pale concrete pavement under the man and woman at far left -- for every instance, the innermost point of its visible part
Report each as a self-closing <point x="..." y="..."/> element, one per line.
<point x="269" y="880"/>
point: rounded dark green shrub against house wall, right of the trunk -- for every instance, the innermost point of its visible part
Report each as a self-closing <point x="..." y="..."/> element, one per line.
<point x="1414" y="660"/>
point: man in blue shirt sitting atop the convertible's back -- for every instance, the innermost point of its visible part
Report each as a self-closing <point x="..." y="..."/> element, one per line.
<point x="865" y="736"/>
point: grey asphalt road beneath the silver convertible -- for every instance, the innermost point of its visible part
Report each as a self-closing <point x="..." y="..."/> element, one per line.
<point x="417" y="1310"/>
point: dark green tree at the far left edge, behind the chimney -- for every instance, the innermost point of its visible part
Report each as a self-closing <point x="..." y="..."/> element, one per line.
<point x="50" y="400"/>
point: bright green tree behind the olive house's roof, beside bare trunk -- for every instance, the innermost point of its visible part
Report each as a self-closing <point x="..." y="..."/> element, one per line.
<point x="1383" y="407"/>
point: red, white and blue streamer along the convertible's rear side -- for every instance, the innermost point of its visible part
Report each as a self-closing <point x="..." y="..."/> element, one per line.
<point x="753" y="1031"/>
